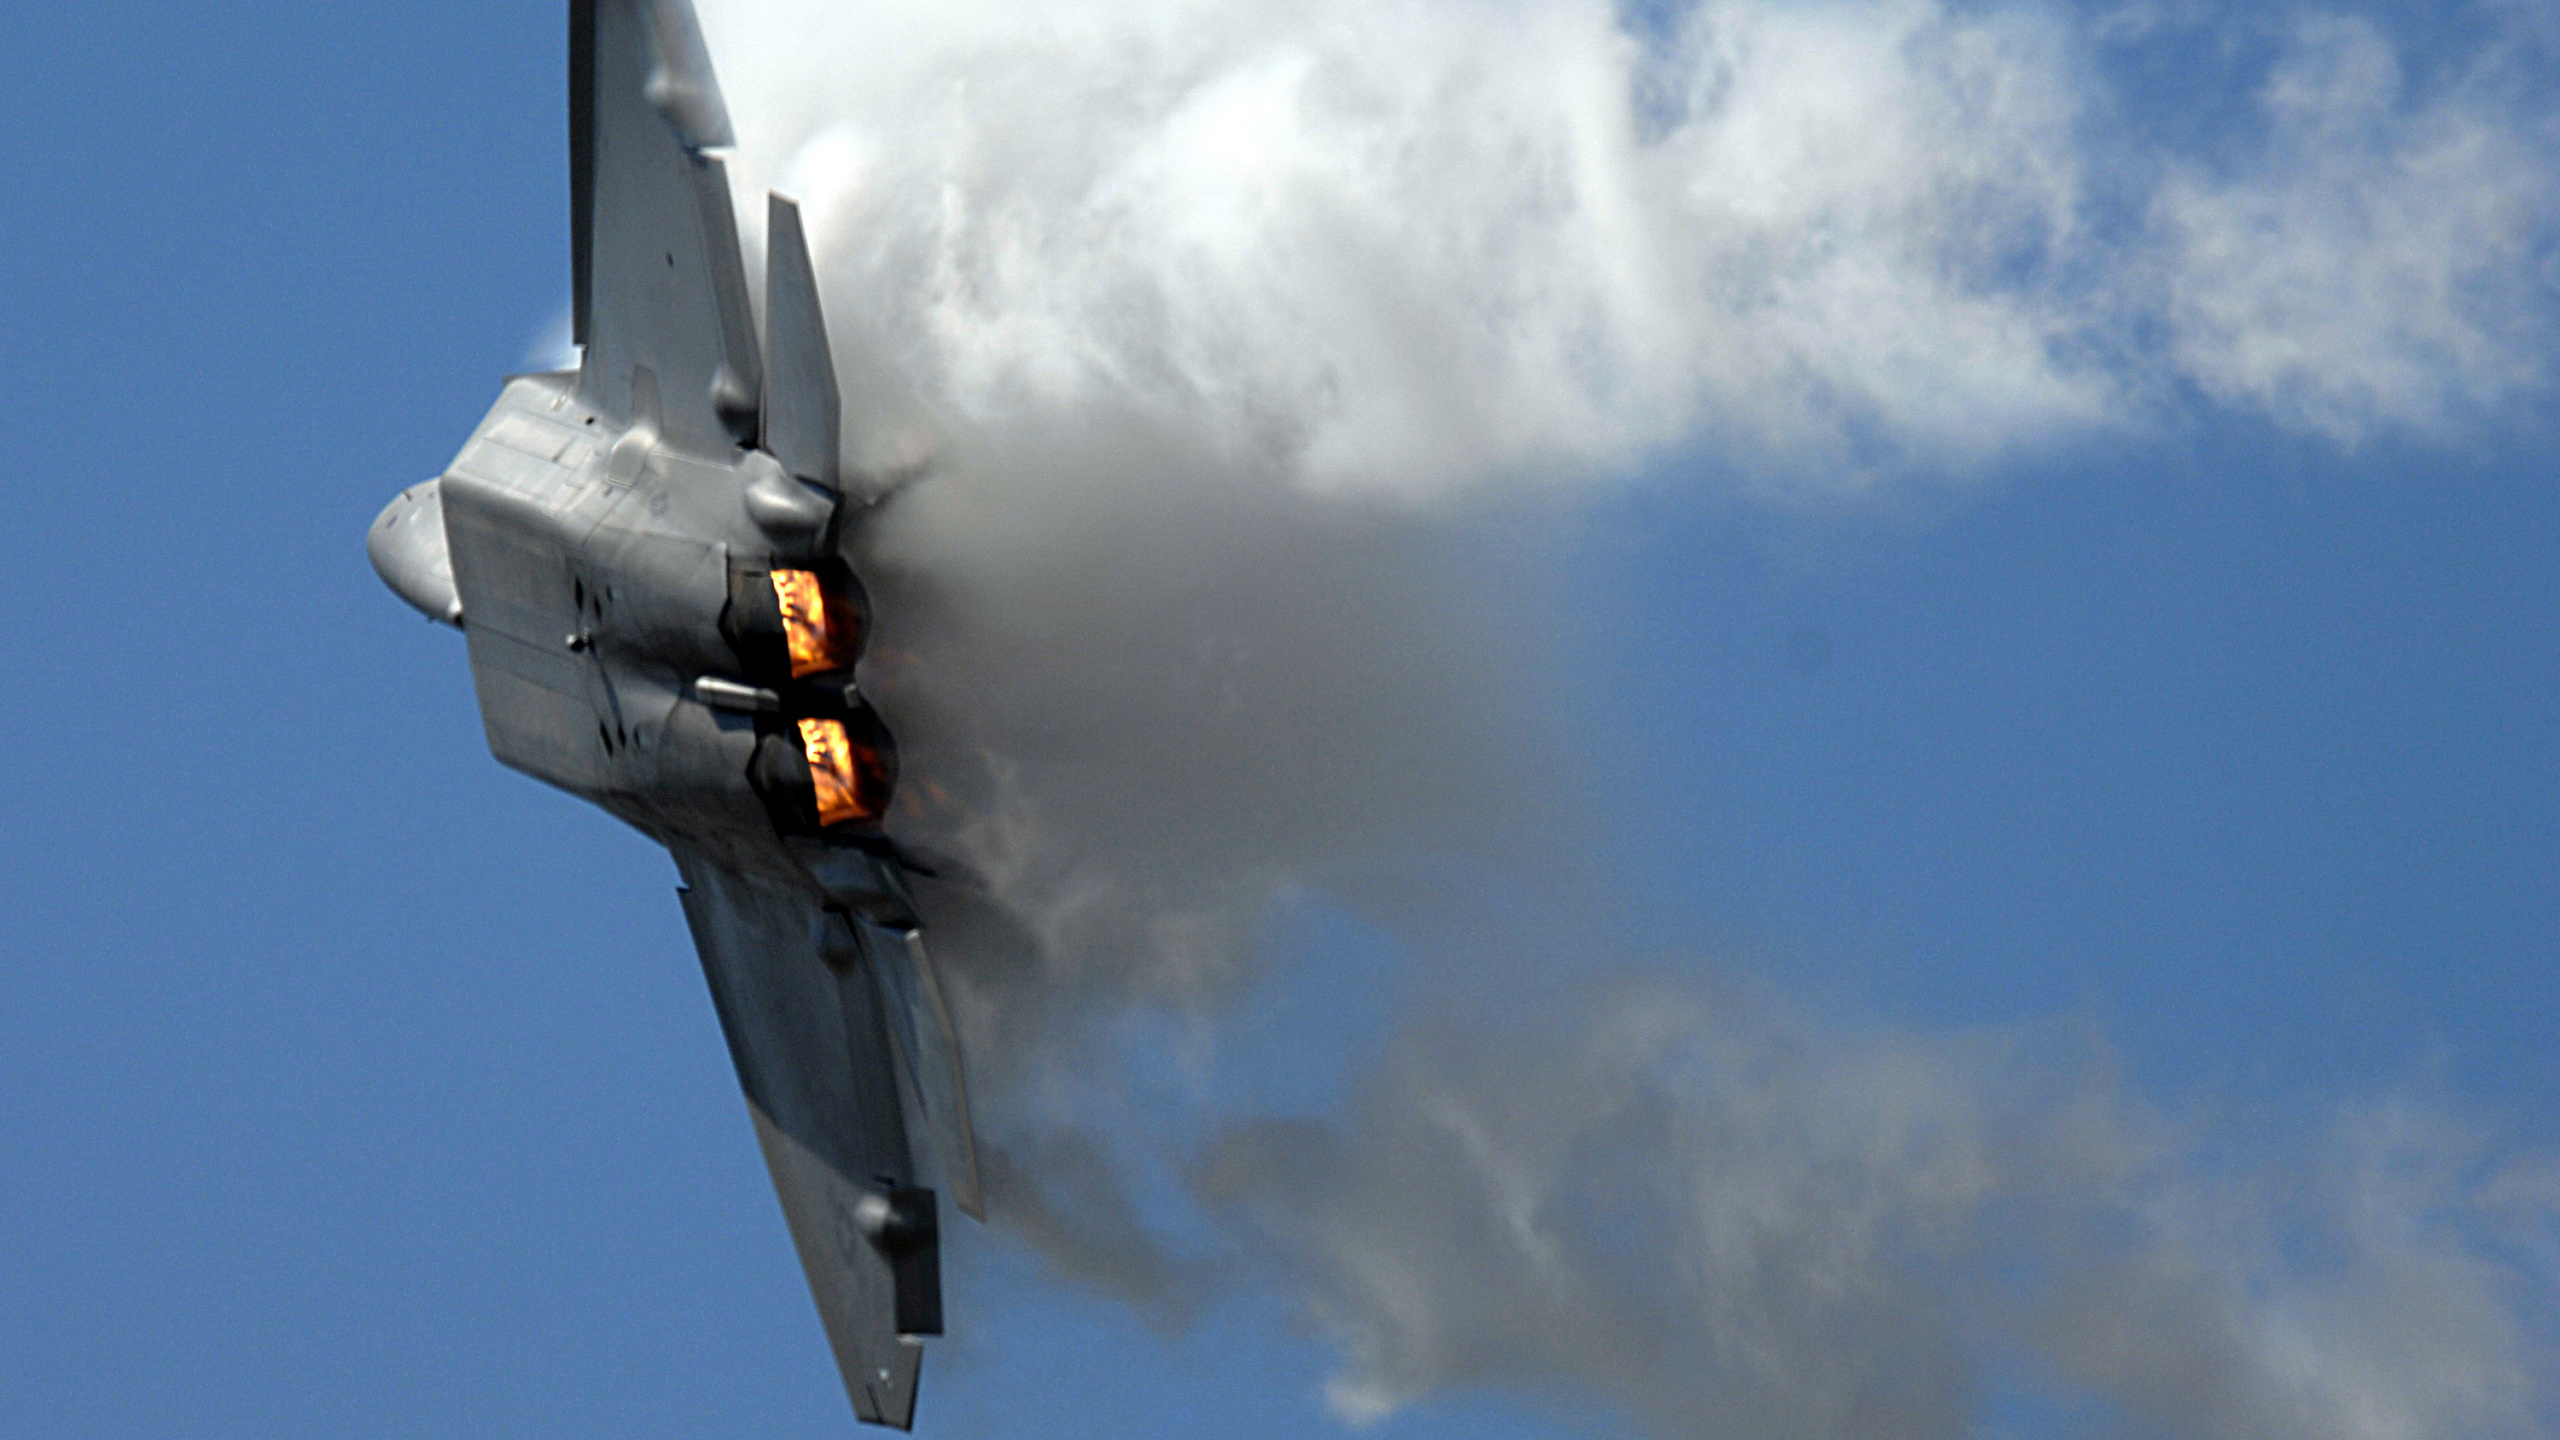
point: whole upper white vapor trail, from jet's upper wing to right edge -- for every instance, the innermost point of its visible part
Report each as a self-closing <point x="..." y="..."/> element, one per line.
<point x="1425" y="245"/>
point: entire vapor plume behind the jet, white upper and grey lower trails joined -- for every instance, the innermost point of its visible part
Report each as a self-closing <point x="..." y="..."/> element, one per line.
<point x="1194" y="342"/>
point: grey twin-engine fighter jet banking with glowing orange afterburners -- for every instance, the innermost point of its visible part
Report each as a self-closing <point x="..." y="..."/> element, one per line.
<point x="646" y="560"/>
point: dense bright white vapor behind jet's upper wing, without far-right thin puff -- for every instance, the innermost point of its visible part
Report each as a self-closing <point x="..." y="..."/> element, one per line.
<point x="1417" y="245"/>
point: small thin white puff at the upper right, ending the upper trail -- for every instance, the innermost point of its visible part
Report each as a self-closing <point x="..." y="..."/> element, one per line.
<point x="2382" y="263"/>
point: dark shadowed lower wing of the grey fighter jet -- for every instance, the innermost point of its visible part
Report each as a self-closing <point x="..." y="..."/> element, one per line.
<point x="808" y="1008"/>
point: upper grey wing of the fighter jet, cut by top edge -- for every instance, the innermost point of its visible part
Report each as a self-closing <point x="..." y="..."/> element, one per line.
<point x="662" y="293"/>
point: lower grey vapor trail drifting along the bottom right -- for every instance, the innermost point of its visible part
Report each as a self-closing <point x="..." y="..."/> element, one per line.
<point x="1729" y="1221"/>
